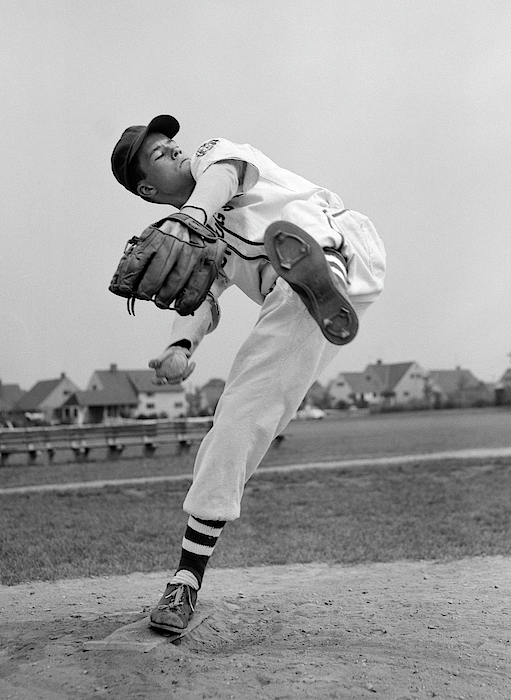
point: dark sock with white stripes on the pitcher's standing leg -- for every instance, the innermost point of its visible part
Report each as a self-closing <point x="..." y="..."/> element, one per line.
<point x="198" y="544"/>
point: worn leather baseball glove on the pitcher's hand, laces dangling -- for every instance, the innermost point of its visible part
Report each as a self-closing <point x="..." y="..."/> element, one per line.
<point x="177" y="267"/>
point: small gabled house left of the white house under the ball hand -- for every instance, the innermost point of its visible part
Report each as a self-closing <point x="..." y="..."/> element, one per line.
<point x="44" y="401"/>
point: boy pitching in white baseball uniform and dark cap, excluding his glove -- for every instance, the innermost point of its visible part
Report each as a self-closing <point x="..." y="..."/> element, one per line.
<point x="313" y="267"/>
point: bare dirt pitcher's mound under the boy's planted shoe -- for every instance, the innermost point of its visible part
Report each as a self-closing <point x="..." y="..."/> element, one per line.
<point x="397" y="631"/>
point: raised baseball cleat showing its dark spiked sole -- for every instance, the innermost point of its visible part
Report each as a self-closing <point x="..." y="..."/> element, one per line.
<point x="301" y="261"/>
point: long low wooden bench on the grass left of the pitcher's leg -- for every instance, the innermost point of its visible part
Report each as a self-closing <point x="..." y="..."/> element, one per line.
<point x="81" y="440"/>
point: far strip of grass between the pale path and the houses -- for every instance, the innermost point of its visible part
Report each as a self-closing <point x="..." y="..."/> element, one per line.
<point x="306" y="441"/>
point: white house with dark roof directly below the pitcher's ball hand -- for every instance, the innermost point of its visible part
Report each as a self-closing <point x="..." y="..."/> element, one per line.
<point x="115" y="394"/>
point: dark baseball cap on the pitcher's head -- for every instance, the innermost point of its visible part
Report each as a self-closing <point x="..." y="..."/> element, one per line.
<point x="131" y="140"/>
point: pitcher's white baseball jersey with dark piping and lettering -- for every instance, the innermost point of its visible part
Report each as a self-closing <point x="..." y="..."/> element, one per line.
<point x="268" y="193"/>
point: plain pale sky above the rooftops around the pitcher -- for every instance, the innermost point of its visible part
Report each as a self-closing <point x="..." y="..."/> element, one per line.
<point x="401" y="107"/>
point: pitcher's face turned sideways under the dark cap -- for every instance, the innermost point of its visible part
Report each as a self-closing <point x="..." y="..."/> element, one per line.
<point x="168" y="177"/>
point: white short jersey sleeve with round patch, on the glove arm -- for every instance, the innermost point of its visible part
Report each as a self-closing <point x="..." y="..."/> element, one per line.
<point x="242" y="156"/>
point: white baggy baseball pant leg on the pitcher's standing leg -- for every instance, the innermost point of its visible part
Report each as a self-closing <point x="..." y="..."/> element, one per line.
<point x="273" y="370"/>
